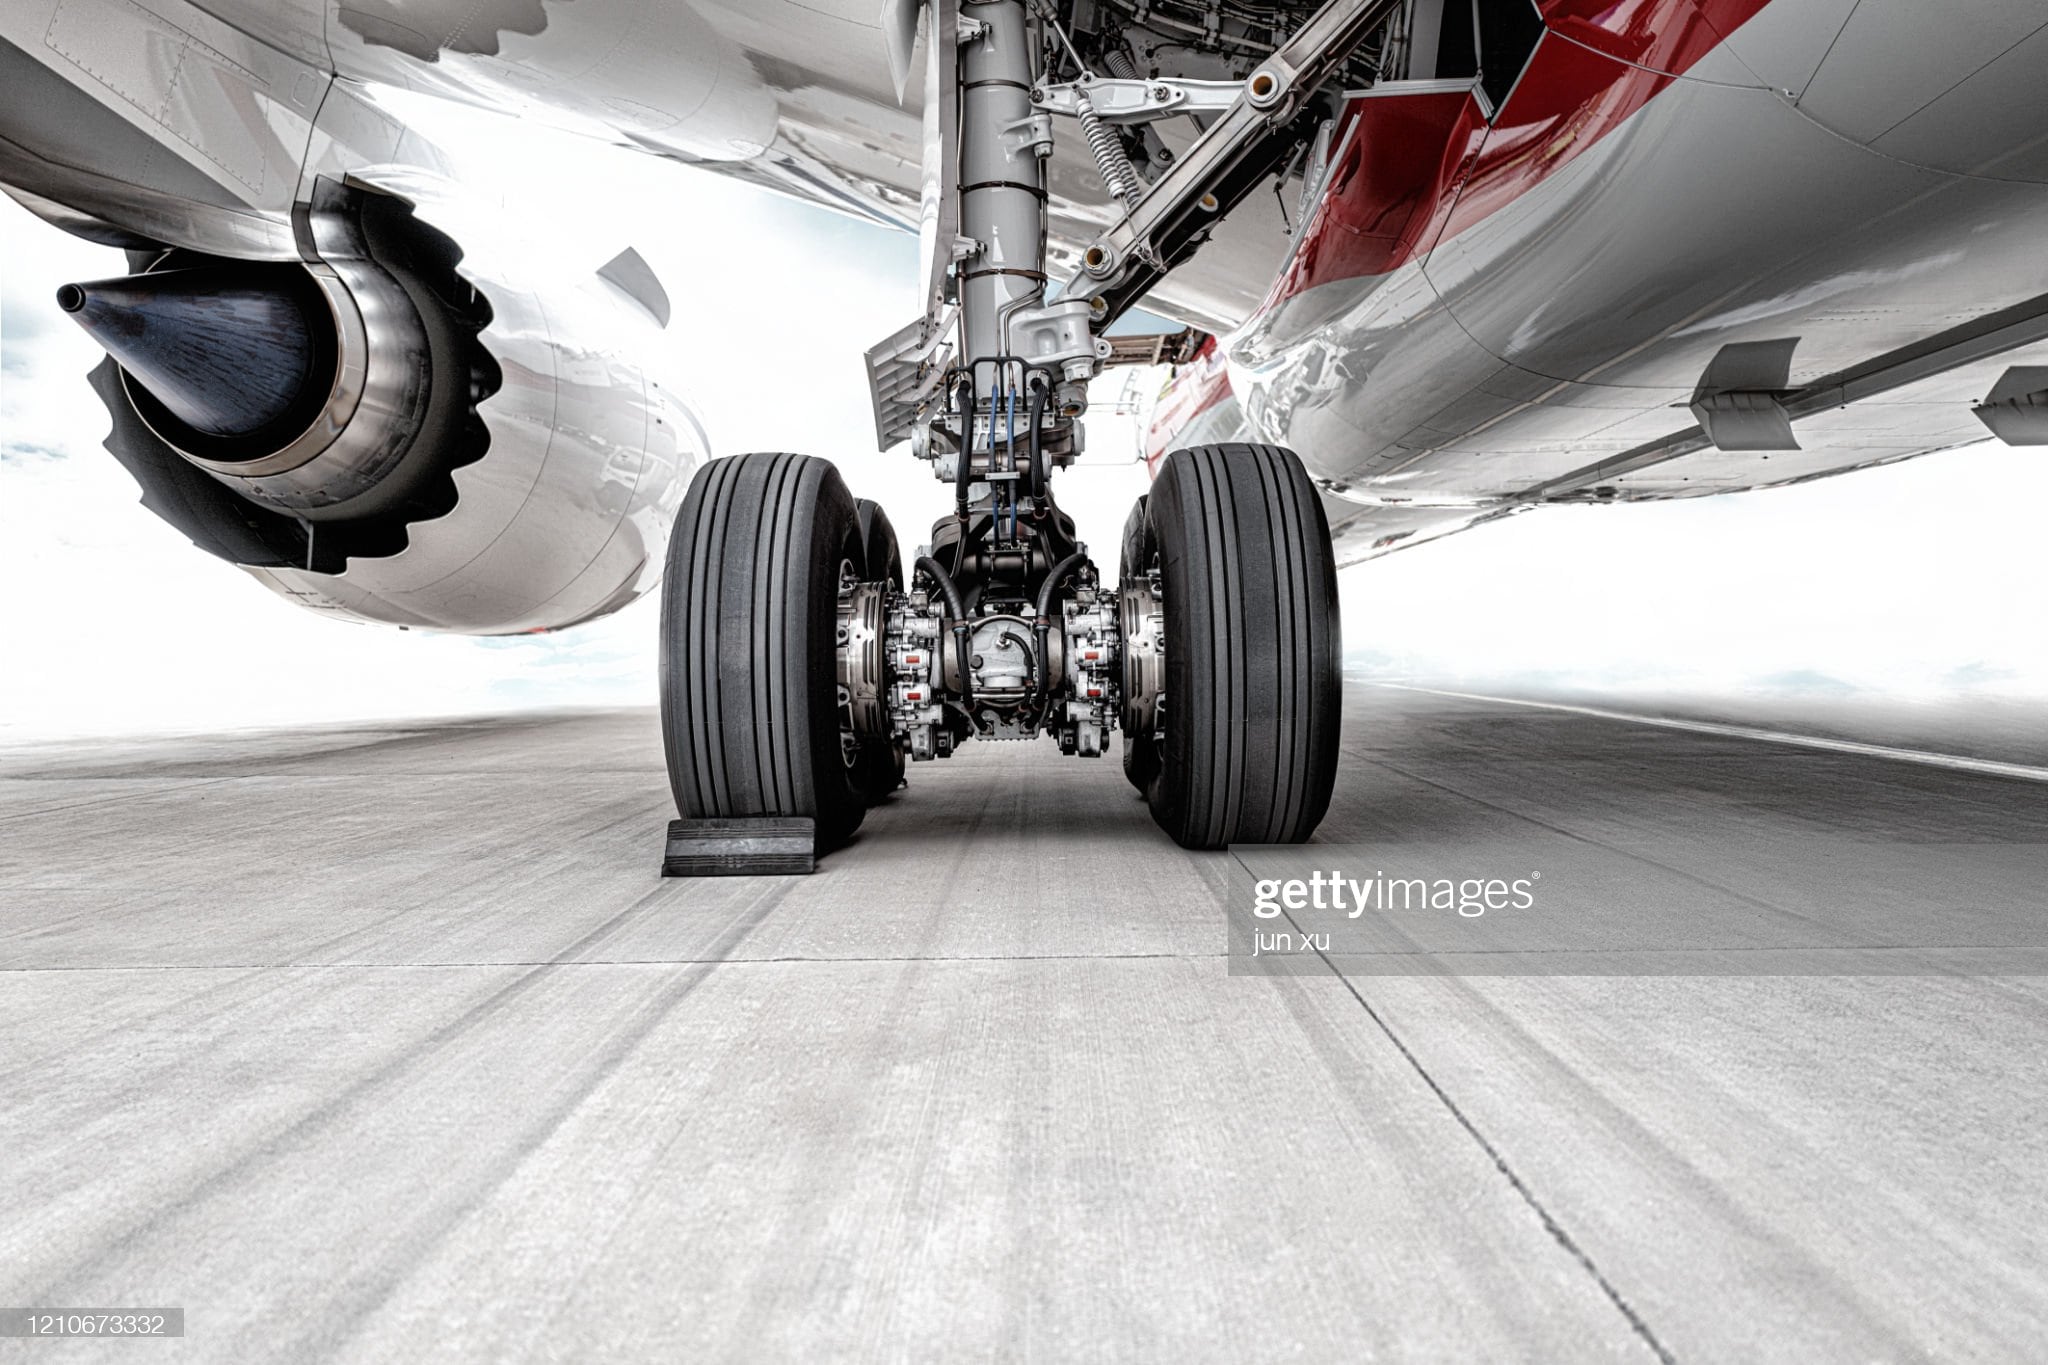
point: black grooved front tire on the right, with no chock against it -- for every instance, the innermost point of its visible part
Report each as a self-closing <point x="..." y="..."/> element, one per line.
<point x="1252" y="676"/>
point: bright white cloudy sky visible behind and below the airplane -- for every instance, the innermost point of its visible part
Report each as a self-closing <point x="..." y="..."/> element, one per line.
<point x="1916" y="582"/>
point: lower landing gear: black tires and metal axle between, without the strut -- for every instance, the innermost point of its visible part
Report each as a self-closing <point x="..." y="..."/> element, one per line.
<point x="800" y="670"/>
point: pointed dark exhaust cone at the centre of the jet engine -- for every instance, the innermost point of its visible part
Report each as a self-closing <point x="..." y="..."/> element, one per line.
<point x="234" y="353"/>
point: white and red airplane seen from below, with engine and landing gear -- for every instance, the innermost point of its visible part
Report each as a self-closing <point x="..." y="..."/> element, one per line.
<point x="1439" y="263"/>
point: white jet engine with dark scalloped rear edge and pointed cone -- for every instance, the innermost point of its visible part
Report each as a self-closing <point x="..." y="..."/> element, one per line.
<point x="400" y="431"/>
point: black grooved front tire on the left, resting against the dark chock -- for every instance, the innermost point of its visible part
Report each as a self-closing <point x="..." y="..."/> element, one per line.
<point x="751" y="715"/>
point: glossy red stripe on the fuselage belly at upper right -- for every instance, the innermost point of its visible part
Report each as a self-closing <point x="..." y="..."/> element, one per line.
<point x="1420" y="169"/>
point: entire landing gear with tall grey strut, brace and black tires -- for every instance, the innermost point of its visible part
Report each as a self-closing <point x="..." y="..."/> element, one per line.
<point x="802" y="666"/>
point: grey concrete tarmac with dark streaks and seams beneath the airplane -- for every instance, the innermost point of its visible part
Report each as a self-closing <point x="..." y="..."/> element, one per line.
<point x="390" y="1045"/>
